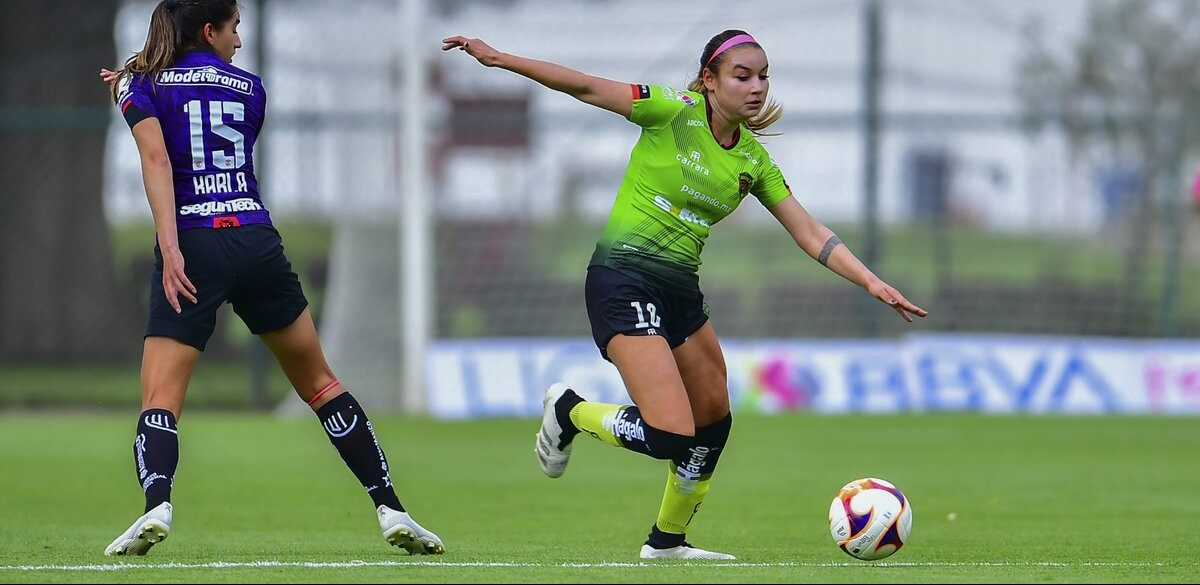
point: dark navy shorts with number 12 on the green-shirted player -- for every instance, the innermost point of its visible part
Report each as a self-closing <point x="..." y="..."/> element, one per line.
<point x="620" y="304"/>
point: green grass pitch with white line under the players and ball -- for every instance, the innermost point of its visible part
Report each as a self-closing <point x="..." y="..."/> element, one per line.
<point x="261" y="499"/>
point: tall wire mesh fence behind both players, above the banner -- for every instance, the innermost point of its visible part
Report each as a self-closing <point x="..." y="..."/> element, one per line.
<point x="993" y="227"/>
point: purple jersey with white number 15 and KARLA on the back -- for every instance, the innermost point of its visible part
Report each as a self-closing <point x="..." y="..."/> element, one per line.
<point x="212" y="114"/>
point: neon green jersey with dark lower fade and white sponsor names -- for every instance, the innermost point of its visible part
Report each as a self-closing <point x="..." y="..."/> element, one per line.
<point x="679" y="185"/>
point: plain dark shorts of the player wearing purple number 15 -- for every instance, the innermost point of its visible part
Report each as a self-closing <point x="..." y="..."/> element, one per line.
<point x="244" y="267"/>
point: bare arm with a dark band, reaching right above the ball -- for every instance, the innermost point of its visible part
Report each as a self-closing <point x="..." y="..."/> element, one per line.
<point x="826" y="248"/>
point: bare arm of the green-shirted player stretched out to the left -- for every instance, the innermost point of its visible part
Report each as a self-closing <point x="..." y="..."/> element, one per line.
<point x="613" y="97"/>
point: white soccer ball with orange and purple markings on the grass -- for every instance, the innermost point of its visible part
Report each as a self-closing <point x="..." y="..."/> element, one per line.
<point x="871" y="520"/>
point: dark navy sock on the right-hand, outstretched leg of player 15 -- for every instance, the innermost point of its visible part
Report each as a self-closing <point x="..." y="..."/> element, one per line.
<point x="355" y="439"/>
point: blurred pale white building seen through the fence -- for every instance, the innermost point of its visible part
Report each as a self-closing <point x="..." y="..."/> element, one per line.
<point x="332" y="141"/>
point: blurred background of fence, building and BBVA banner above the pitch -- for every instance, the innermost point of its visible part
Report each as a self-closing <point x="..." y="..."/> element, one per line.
<point x="1025" y="171"/>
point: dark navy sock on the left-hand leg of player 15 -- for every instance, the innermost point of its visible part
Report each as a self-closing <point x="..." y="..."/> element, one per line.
<point x="157" y="455"/>
